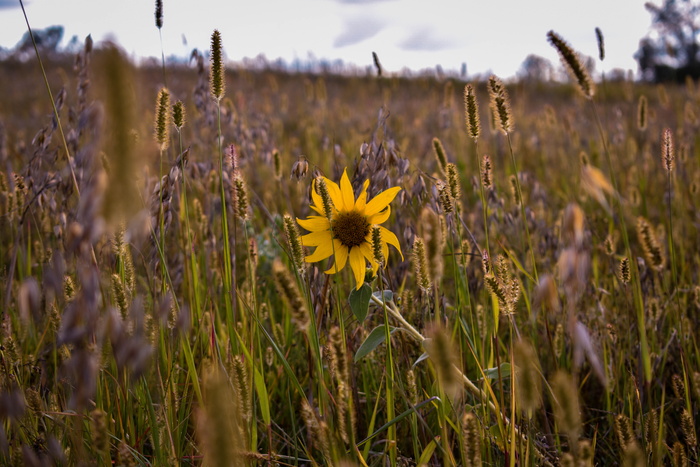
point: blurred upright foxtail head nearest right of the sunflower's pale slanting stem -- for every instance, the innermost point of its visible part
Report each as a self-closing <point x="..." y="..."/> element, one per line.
<point x="527" y="377"/>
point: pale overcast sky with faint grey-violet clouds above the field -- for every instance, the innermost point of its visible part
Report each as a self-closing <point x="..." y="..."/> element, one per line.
<point x="490" y="36"/>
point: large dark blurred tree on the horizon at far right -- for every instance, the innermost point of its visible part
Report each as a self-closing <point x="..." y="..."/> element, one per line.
<point x="671" y="50"/>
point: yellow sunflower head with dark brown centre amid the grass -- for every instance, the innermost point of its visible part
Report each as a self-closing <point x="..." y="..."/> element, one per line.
<point x="348" y="232"/>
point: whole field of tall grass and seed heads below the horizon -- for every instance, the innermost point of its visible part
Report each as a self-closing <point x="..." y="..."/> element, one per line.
<point x="536" y="269"/>
